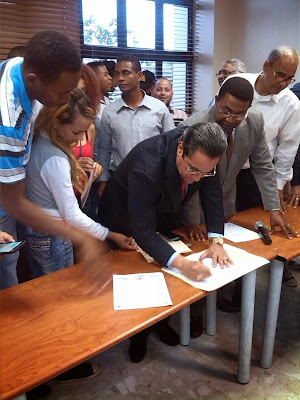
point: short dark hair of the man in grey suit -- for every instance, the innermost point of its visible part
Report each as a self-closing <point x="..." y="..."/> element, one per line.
<point x="238" y="87"/>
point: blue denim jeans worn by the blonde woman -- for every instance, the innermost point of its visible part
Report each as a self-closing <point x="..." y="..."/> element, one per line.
<point x="46" y="253"/>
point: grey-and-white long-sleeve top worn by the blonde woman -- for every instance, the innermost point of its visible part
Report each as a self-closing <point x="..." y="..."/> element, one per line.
<point x="48" y="184"/>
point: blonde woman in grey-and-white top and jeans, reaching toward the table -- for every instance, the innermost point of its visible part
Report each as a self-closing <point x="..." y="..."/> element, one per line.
<point x="51" y="174"/>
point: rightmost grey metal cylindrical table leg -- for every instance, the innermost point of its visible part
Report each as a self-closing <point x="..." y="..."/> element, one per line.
<point x="274" y="290"/>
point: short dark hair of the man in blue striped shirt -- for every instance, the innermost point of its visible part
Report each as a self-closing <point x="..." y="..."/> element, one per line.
<point x="49" y="53"/>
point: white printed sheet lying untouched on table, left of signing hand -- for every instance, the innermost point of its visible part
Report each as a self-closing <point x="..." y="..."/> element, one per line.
<point x="140" y="291"/>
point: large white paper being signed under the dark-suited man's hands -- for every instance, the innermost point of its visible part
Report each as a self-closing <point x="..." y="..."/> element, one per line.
<point x="243" y="262"/>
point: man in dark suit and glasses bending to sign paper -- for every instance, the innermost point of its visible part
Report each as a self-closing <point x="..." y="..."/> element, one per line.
<point x="146" y="195"/>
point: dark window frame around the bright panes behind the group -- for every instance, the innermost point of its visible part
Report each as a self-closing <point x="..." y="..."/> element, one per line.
<point x="158" y="54"/>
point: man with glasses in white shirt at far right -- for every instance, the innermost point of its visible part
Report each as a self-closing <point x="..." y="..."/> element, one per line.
<point x="281" y="111"/>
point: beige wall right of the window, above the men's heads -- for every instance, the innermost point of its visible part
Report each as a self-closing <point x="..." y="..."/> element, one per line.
<point x="248" y="30"/>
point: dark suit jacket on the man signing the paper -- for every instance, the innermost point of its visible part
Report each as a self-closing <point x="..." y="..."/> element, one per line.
<point x="144" y="195"/>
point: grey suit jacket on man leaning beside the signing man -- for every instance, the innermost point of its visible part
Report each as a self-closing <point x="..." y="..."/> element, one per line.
<point x="249" y="143"/>
